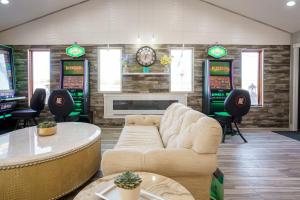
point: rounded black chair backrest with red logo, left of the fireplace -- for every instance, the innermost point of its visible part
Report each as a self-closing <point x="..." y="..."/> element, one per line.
<point x="60" y="104"/>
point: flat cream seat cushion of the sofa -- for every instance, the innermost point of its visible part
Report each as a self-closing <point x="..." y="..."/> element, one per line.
<point x="139" y="138"/>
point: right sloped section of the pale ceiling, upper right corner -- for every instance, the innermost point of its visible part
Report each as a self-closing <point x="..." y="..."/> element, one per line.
<point x="273" y="12"/>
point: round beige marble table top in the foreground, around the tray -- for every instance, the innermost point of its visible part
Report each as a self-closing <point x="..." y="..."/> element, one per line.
<point x="161" y="186"/>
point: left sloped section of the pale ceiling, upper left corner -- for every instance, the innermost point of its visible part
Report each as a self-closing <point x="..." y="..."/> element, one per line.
<point x="20" y="11"/>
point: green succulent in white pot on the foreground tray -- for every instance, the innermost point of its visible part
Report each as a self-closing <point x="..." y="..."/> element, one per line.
<point x="129" y="185"/>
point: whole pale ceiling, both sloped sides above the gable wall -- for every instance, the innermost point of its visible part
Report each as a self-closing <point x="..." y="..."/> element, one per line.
<point x="271" y="12"/>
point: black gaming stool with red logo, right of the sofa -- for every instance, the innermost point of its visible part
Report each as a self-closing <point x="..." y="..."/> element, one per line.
<point x="237" y="104"/>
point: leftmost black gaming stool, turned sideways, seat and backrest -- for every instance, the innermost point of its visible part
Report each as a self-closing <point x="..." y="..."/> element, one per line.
<point x="37" y="104"/>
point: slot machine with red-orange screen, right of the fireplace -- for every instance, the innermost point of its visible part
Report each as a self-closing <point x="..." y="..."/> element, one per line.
<point x="218" y="83"/>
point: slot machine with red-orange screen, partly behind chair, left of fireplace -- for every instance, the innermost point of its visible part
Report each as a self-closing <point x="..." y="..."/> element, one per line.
<point x="75" y="78"/>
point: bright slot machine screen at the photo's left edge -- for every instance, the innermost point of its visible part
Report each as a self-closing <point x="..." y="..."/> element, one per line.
<point x="6" y="74"/>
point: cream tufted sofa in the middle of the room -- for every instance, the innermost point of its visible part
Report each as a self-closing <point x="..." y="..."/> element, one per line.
<point x="182" y="144"/>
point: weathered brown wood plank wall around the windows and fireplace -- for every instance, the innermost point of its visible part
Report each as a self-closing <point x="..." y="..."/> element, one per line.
<point x="274" y="113"/>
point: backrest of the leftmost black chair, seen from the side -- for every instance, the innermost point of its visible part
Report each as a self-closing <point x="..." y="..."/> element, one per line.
<point x="37" y="101"/>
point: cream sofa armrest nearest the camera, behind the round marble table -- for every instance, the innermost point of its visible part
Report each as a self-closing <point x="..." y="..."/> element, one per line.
<point x="167" y="162"/>
